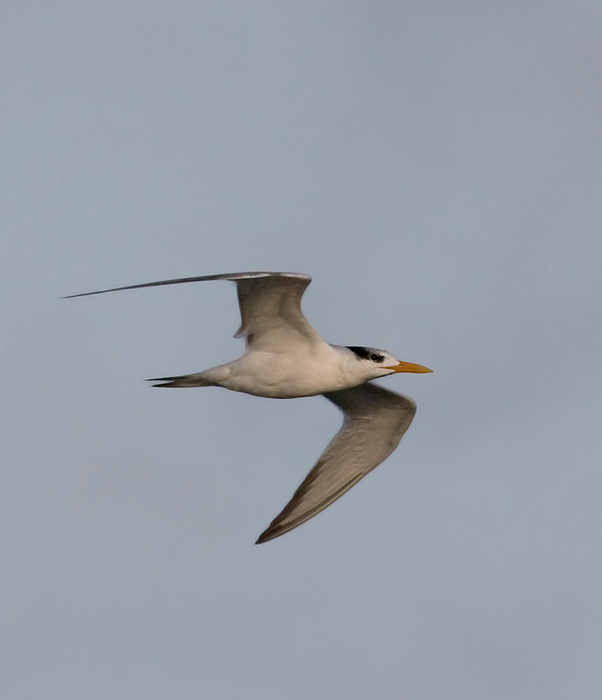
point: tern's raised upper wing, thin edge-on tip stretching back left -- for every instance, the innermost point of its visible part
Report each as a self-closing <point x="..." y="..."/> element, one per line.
<point x="270" y="305"/>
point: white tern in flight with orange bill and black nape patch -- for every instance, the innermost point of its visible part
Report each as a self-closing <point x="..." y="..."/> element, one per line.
<point x="285" y="358"/>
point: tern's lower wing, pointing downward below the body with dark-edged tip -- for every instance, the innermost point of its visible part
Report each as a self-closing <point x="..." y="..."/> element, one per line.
<point x="375" y="421"/>
